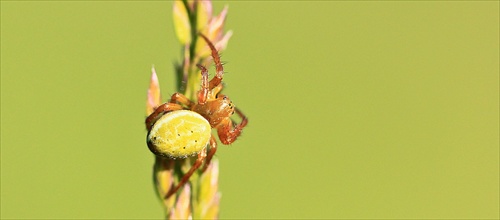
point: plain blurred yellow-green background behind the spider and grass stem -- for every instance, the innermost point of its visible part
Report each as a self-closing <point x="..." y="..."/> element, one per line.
<point x="357" y="109"/>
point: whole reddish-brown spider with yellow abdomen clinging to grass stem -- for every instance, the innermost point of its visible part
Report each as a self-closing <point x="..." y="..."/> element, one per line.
<point x="181" y="128"/>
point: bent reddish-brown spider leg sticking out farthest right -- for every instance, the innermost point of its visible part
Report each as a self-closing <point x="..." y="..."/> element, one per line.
<point x="228" y="134"/>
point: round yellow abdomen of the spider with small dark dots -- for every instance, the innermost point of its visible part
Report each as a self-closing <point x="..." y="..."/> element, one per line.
<point x="179" y="134"/>
